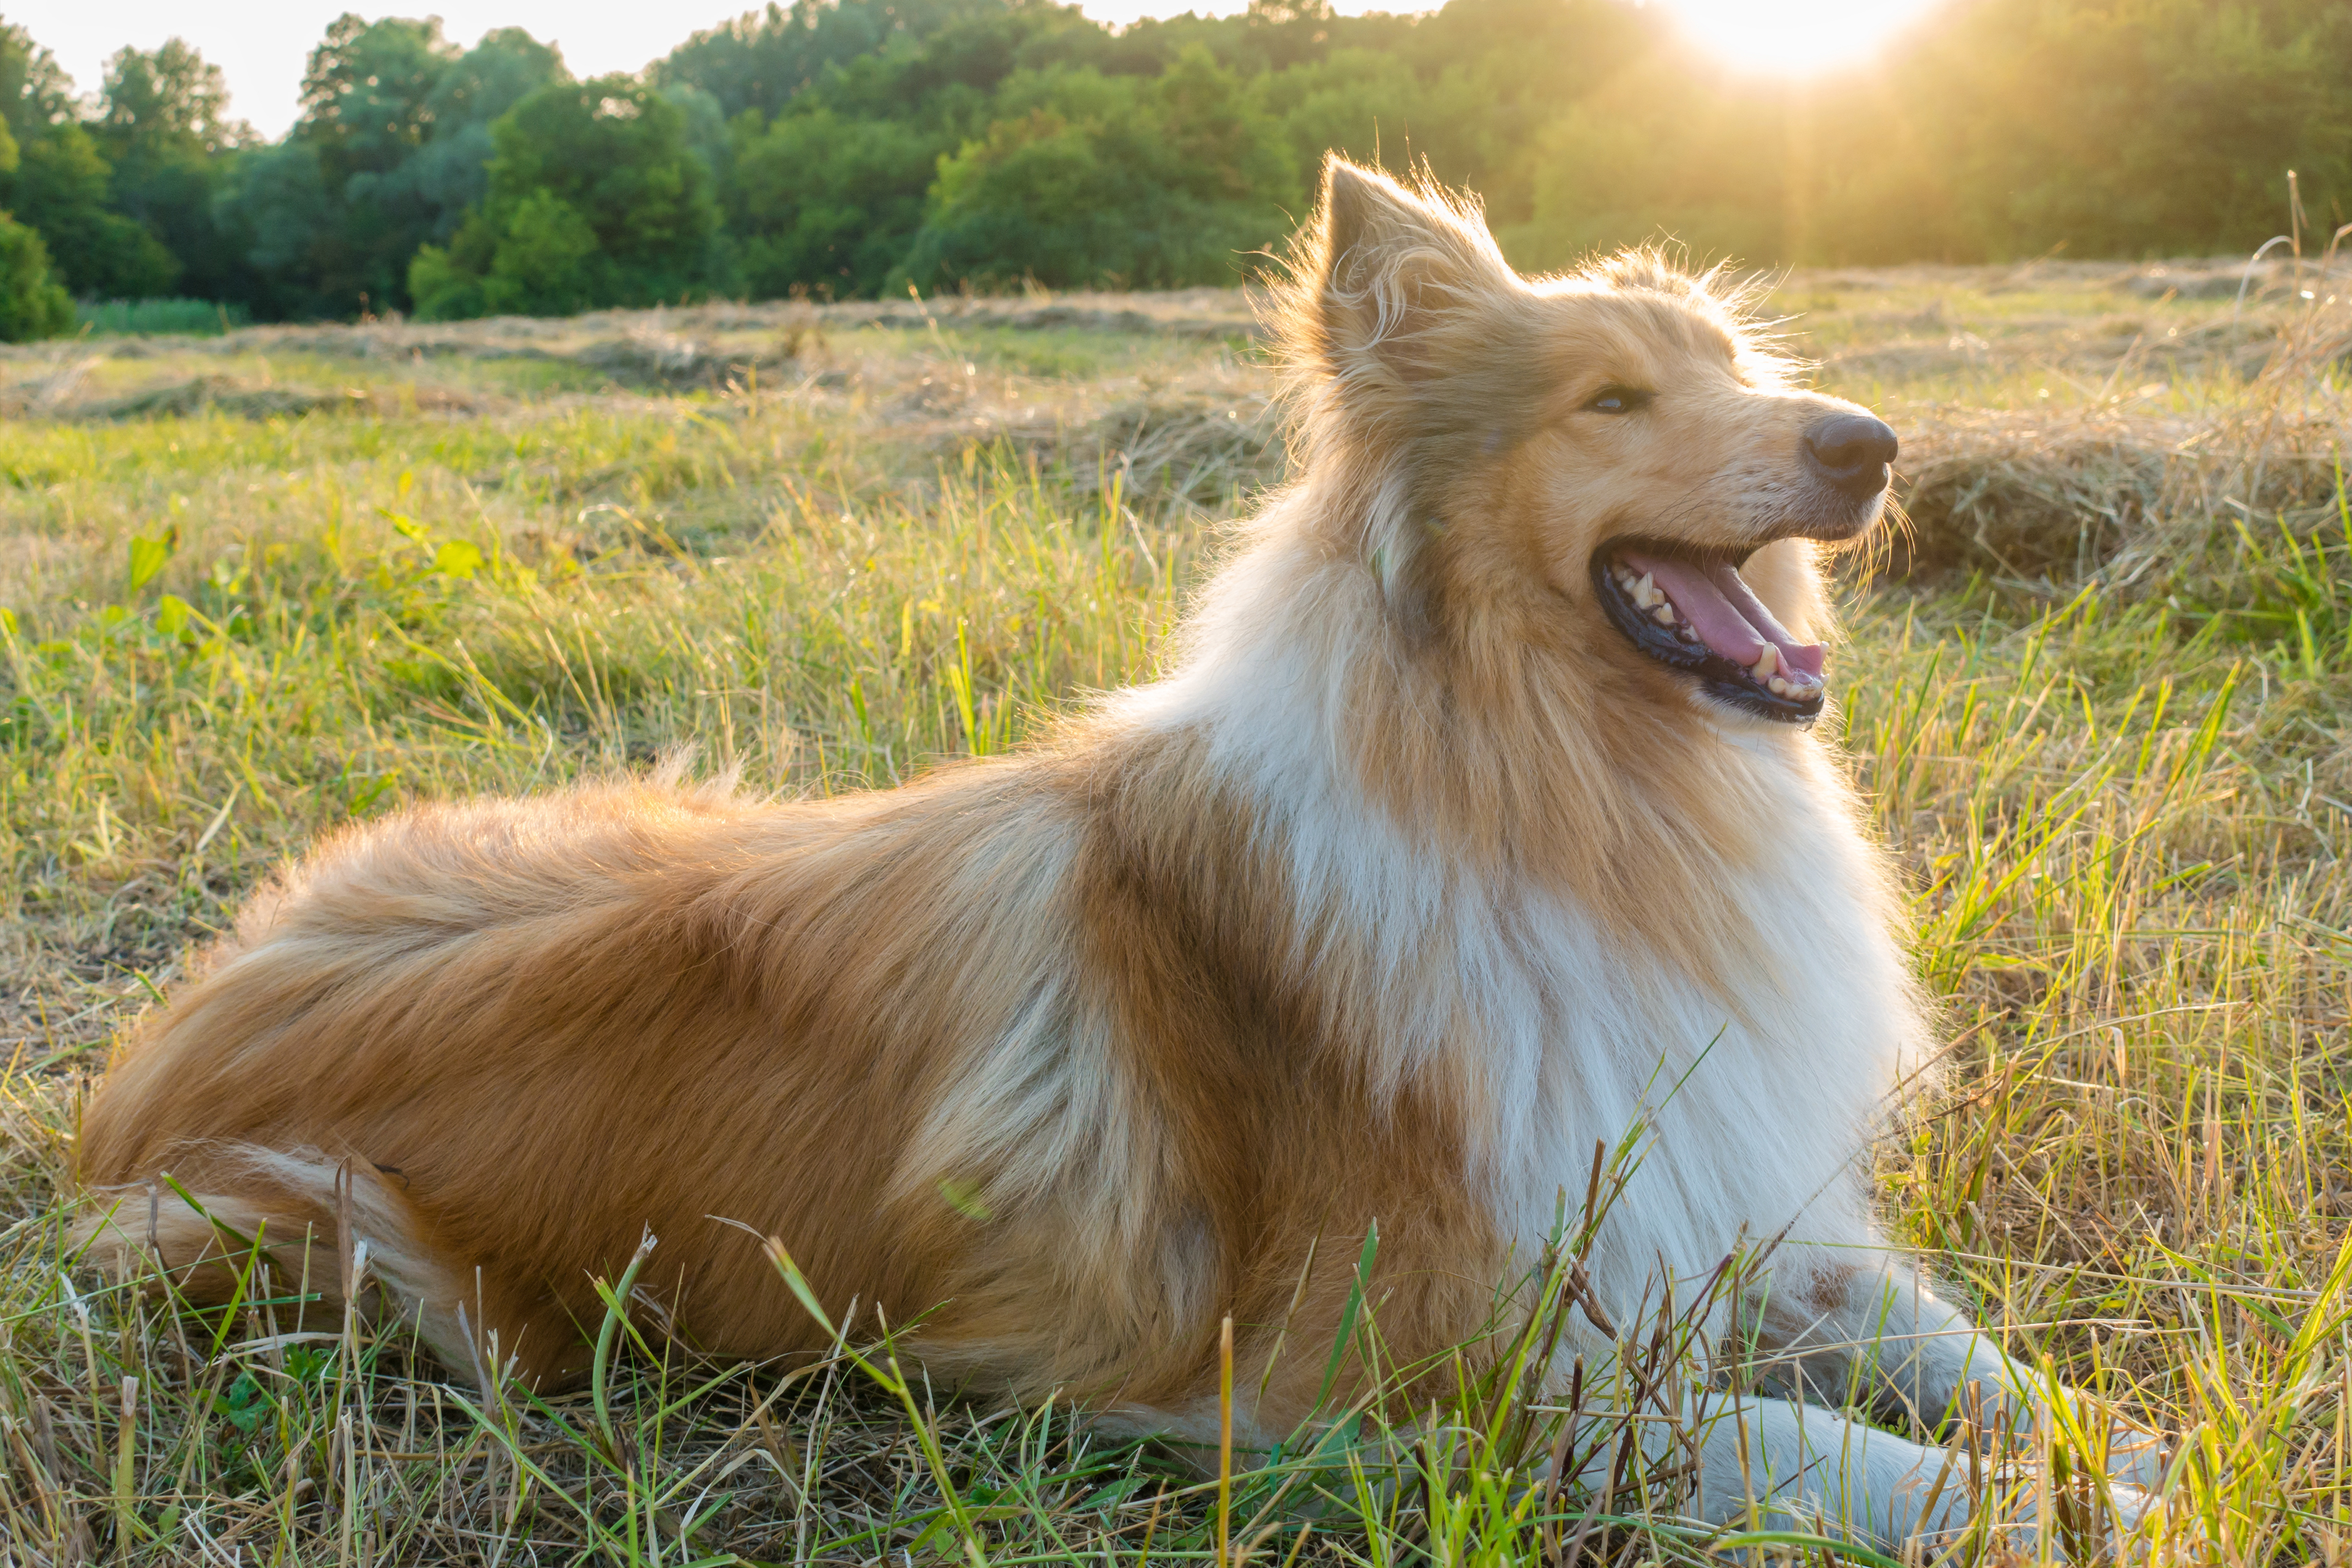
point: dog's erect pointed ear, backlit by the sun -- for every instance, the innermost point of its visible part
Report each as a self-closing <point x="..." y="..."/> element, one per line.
<point x="1391" y="269"/>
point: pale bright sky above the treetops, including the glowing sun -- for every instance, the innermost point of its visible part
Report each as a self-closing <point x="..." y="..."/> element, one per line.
<point x="260" y="46"/>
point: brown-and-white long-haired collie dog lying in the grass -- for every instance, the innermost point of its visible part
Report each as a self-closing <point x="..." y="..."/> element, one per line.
<point x="1481" y="808"/>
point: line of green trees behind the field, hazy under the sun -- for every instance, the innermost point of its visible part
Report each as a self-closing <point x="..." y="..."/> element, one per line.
<point x="864" y="147"/>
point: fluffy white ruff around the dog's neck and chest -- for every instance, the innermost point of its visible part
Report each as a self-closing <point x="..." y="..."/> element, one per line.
<point x="1756" y="1125"/>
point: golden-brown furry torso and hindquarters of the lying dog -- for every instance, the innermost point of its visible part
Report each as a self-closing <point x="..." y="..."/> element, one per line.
<point x="984" y="1052"/>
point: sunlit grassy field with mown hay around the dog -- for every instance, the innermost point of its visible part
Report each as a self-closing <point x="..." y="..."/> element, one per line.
<point x="267" y="582"/>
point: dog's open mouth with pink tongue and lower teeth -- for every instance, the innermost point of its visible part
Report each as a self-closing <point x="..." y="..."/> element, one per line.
<point x="1695" y="615"/>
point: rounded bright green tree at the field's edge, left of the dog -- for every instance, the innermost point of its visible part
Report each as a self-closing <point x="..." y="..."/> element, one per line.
<point x="596" y="199"/>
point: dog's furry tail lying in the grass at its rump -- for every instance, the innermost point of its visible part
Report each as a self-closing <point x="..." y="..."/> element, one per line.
<point x="283" y="1226"/>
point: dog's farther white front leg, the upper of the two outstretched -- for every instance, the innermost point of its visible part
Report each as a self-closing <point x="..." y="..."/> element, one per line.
<point x="1883" y="1341"/>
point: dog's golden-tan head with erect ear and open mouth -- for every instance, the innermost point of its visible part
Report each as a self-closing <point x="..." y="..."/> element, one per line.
<point x="1608" y="460"/>
